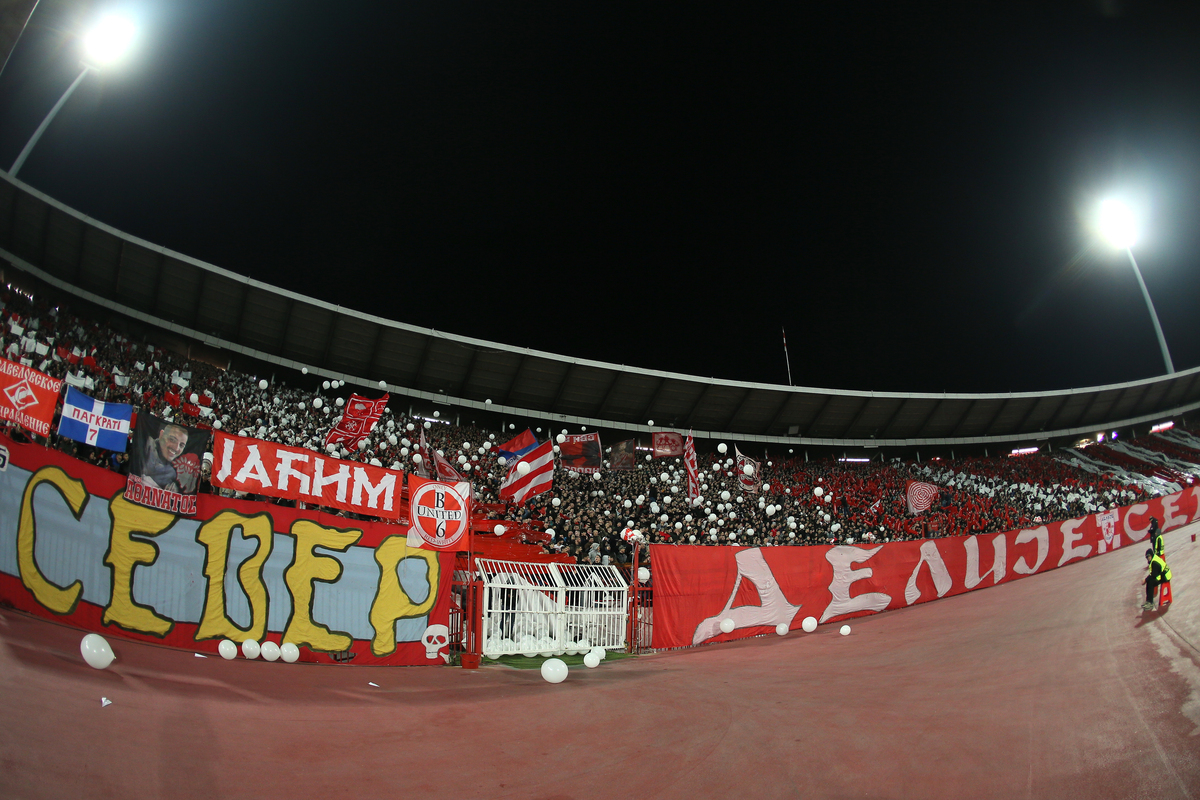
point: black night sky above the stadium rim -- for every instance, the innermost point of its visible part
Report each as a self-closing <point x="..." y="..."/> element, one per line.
<point x="905" y="189"/>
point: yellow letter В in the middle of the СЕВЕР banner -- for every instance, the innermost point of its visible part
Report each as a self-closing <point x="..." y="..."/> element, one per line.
<point x="215" y="536"/>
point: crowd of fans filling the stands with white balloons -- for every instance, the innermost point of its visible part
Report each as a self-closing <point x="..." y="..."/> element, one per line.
<point x="791" y="501"/>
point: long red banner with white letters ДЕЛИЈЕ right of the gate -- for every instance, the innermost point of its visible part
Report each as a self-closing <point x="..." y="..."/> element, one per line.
<point x="697" y="588"/>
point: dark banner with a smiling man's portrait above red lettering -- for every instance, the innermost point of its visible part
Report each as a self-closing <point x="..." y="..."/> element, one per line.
<point x="165" y="466"/>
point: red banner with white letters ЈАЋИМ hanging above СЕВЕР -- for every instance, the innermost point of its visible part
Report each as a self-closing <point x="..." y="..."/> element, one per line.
<point x="296" y="474"/>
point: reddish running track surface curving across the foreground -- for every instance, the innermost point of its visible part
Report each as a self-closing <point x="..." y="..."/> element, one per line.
<point x="1053" y="687"/>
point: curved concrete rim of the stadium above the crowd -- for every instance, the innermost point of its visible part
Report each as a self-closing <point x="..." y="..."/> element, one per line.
<point x="211" y="305"/>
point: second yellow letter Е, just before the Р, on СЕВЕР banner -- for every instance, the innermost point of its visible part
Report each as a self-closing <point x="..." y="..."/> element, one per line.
<point x="307" y="567"/>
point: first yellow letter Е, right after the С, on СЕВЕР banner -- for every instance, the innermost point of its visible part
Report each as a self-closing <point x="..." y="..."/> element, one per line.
<point x="124" y="555"/>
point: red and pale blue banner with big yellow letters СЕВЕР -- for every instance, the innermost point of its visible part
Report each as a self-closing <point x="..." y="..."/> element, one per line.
<point x="131" y="573"/>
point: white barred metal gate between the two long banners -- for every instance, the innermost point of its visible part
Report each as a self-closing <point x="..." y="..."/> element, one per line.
<point x="549" y="609"/>
